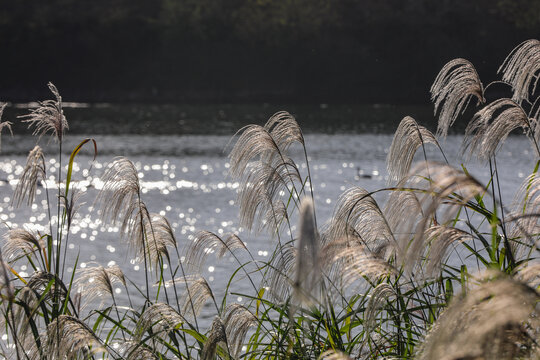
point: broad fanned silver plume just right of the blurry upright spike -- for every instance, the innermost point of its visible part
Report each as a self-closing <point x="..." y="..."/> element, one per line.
<point x="358" y="214"/>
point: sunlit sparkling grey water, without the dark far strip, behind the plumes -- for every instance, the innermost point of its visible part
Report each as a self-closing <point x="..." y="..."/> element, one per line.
<point x="185" y="178"/>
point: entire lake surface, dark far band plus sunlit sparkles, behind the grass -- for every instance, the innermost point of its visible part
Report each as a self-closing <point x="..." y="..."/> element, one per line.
<point x="180" y="152"/>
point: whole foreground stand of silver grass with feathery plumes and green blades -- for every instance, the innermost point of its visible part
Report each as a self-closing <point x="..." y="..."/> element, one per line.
<point x="374" y="282"/>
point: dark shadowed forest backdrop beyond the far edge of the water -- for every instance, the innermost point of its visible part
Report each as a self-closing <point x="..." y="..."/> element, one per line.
<point x="384" y="51"/>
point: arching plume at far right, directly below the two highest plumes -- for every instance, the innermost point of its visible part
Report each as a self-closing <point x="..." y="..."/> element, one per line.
<point x="490" y="126"/>
